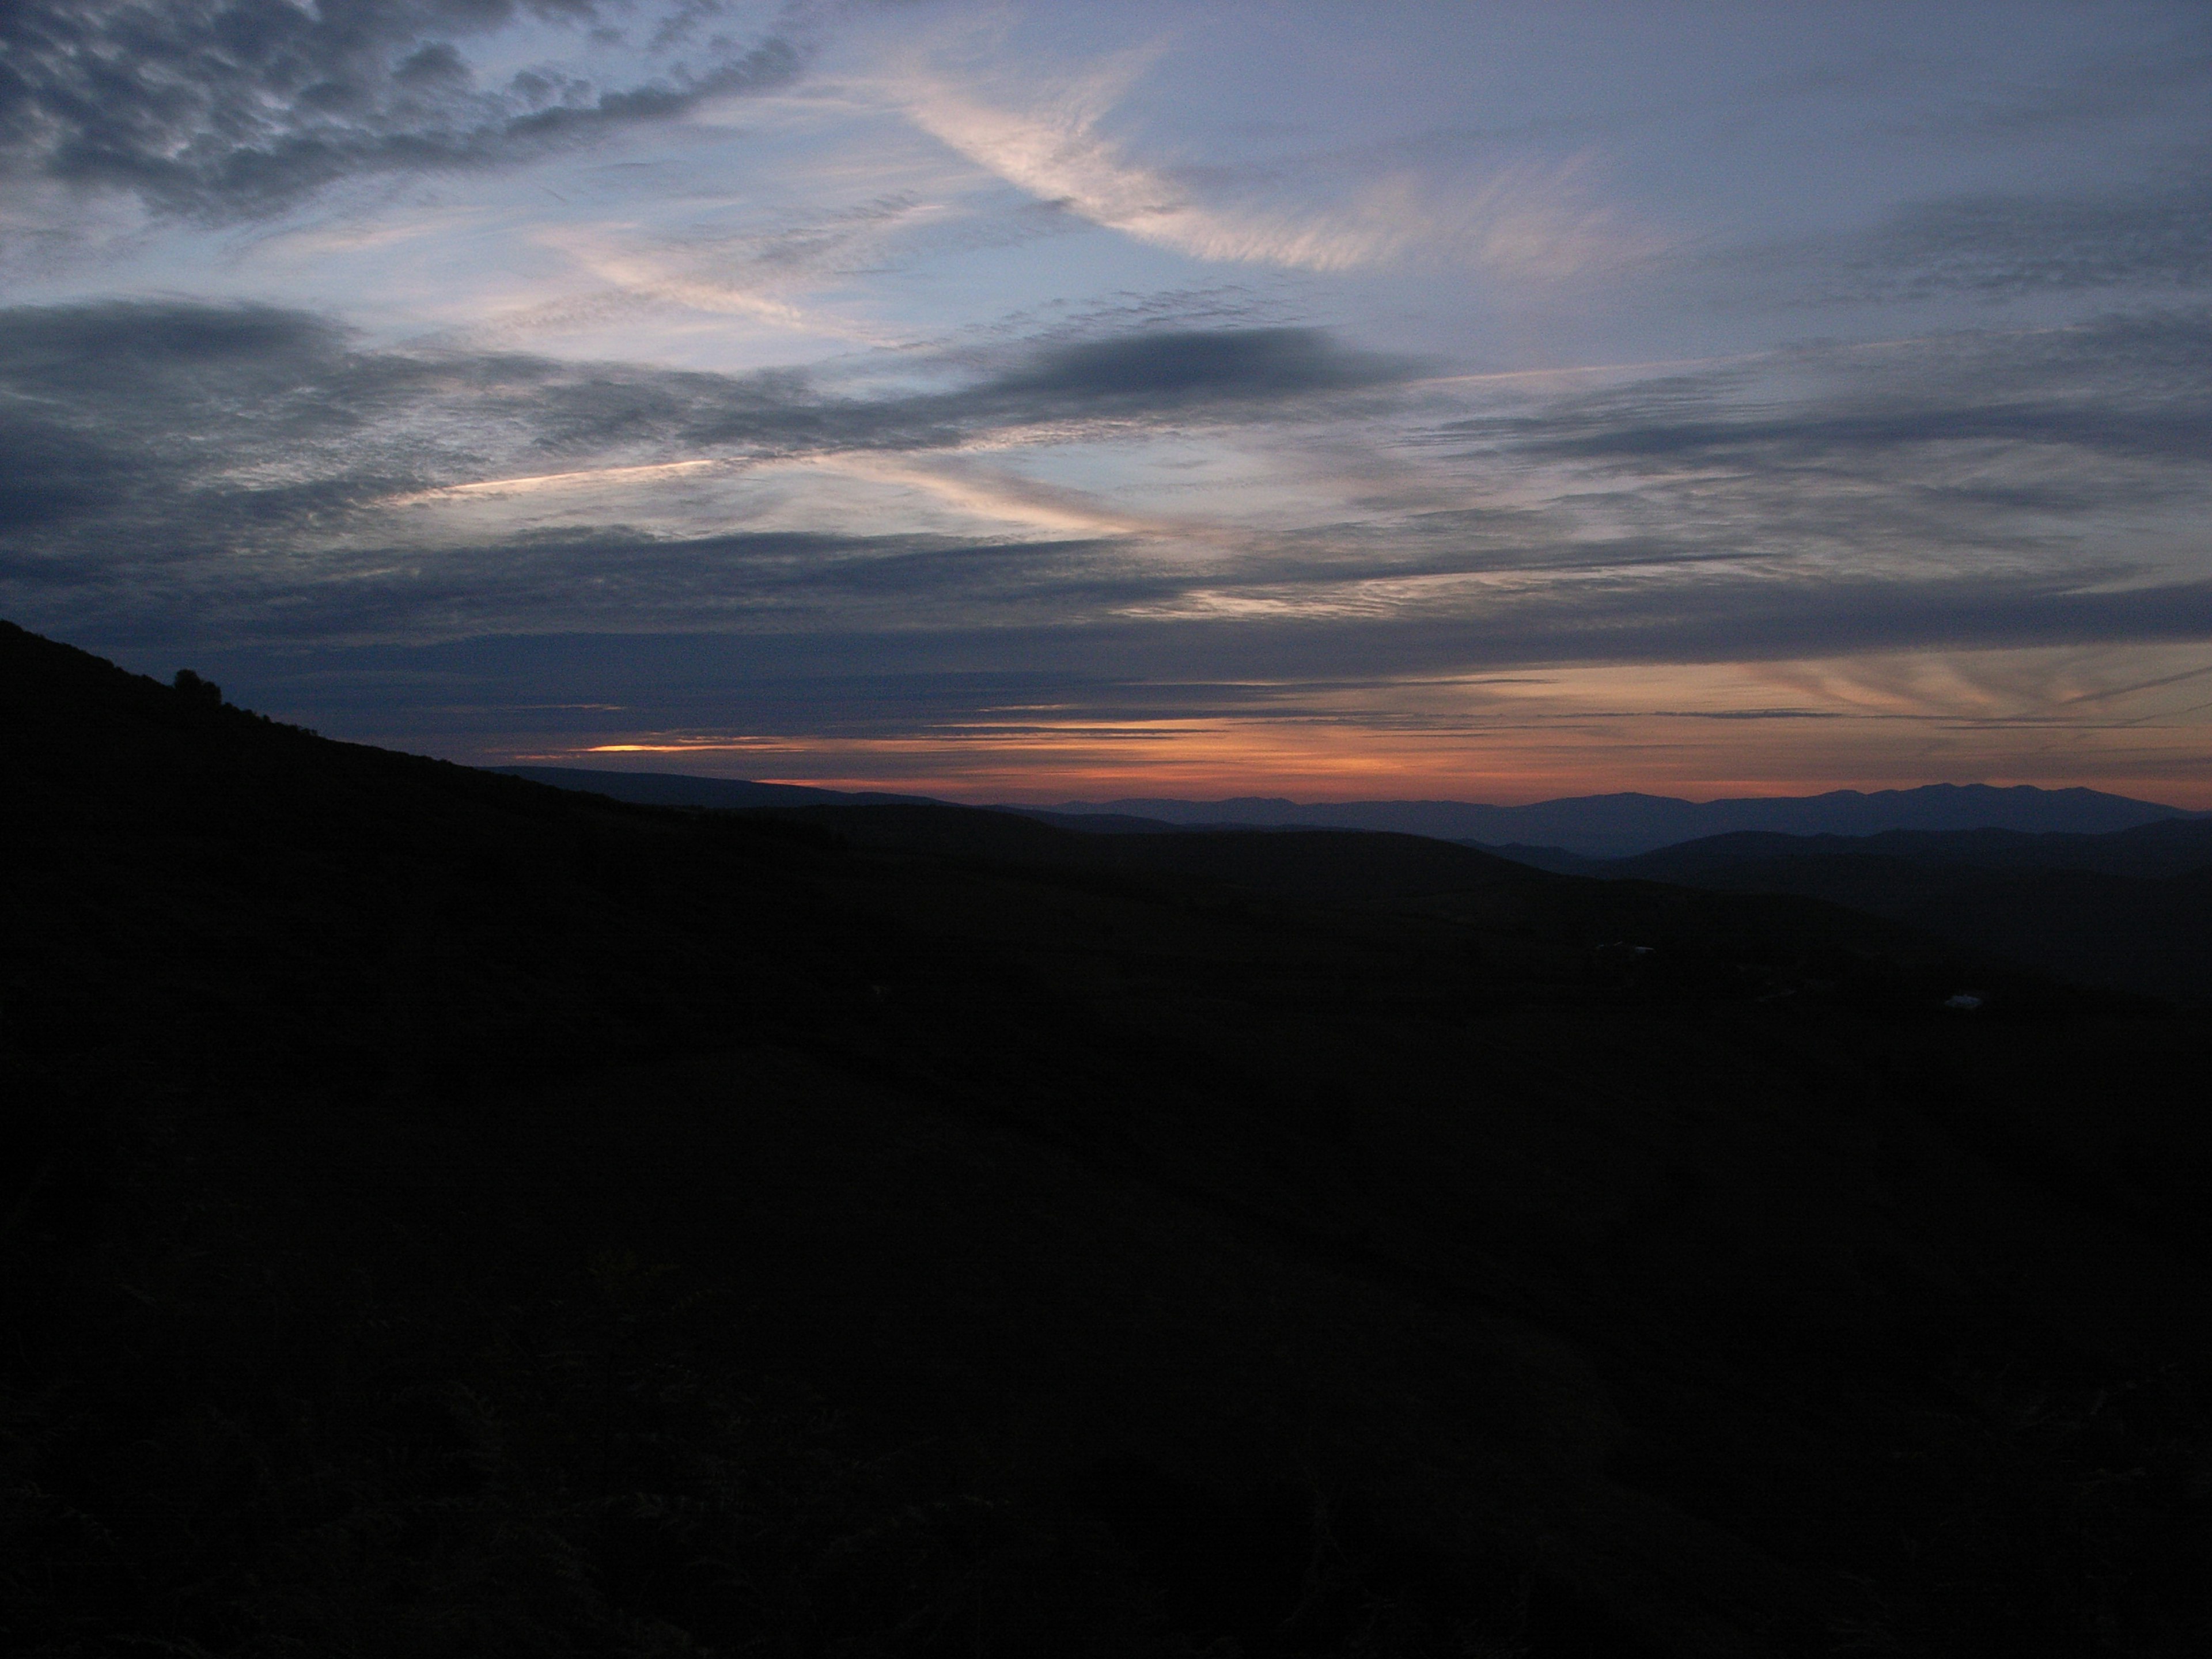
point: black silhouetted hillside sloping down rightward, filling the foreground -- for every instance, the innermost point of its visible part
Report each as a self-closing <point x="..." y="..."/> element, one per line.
<point x="446" y="1215"/>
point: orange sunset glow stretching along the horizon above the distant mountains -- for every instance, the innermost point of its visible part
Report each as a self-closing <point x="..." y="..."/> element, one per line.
<point x="2049" y="720"/>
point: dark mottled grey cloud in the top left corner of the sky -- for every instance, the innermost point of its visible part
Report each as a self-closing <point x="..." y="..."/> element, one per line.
<point x="240" y="107"/>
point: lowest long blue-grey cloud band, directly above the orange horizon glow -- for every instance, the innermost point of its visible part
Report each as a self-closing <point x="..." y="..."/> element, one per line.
<point x="963" y="685"/>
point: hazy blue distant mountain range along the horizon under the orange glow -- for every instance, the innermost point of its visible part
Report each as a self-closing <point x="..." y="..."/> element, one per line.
<point x="1585" y="828"/>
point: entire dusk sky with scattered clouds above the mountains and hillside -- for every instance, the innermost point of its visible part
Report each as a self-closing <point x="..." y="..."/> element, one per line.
<point x="1039" y="401"/>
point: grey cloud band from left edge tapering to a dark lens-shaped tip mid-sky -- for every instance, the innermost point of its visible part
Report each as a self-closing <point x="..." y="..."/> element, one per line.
<point x="200" y="426"/>
